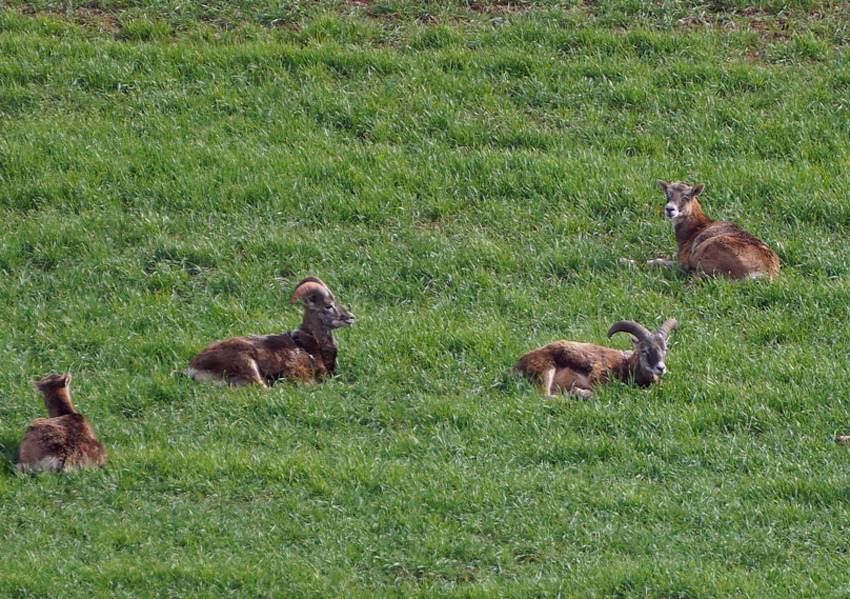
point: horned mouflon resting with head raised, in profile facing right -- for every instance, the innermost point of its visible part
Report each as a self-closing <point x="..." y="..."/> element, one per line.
<point x="307" y="353"/>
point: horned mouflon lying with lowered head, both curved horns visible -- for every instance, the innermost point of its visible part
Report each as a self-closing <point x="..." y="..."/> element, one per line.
<point x="579" y="367"/>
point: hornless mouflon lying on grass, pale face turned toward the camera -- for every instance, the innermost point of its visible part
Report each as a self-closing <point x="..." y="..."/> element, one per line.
<point x="712" y="248"/>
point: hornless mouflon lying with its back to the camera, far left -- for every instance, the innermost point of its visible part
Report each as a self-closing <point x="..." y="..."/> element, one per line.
<point x="63" y="441"/>
